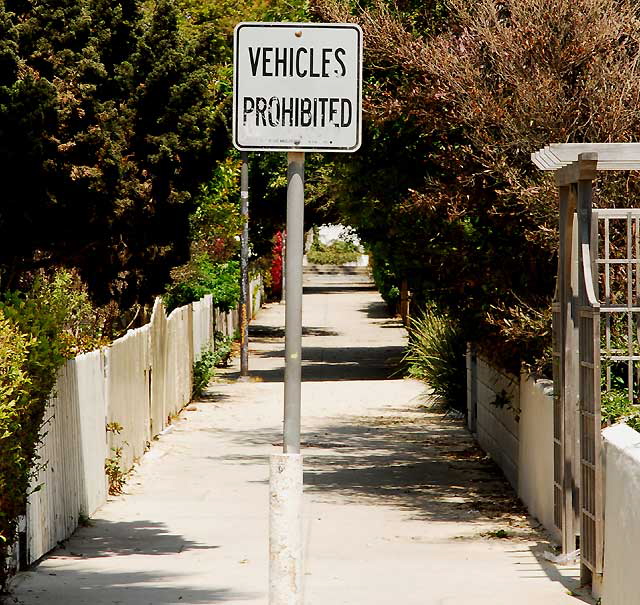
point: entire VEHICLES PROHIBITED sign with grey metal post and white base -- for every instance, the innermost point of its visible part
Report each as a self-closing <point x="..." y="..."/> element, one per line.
<point x="297" y="88"/>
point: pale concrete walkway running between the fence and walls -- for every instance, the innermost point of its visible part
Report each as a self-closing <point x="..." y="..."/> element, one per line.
<point x="400" y="504"/>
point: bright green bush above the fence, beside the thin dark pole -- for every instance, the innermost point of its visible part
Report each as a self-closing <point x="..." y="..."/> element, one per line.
<point x="202" y="276"/>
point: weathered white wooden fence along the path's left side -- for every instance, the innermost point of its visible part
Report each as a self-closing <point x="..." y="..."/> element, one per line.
<point x="132" y="386"/>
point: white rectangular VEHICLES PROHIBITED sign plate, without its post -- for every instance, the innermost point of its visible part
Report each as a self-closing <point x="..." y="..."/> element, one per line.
<point x="297" y="87"/>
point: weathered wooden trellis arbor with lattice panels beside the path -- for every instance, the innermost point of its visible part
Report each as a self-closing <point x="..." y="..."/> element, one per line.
<point x="596" y="323"/>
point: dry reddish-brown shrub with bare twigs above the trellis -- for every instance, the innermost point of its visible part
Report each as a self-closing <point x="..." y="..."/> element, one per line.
<point x="500" y="80"/>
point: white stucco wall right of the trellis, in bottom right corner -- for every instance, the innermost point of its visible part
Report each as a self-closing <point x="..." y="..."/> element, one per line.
<point x="622" y="518"/>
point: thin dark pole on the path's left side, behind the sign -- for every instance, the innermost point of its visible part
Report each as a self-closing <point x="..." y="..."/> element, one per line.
<point x="244" y="267"/>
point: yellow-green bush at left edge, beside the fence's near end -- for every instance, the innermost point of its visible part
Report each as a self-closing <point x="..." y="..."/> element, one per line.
<point x="39" y="328"/>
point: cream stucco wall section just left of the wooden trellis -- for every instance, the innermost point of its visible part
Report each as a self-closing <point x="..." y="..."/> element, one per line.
<point x="535" y="457"/>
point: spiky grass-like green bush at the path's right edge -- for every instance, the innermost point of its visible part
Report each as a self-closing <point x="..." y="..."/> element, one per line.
<point x="435" y="354"/>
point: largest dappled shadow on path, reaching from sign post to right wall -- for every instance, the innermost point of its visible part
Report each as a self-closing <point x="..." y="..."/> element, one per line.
<point x="428" y="465"/>
